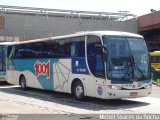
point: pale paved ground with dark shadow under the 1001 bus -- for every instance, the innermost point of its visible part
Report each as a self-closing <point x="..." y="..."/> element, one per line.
<point x="39" y="104"/>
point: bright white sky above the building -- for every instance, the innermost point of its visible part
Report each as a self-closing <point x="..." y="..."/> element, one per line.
<point x="136" y="7"/>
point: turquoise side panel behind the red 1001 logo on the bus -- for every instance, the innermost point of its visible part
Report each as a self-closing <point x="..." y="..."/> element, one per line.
<point x="43" y="78"/>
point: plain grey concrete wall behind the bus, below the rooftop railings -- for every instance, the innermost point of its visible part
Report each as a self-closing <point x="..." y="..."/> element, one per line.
<point x="29" y="26"/>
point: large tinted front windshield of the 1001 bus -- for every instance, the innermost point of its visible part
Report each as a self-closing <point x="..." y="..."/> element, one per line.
<point x="127" y="58"/>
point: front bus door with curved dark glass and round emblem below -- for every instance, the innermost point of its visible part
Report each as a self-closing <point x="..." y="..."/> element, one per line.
<point x="96" y="65"/>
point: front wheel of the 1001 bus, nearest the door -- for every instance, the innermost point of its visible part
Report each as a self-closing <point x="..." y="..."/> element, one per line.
<point x="78" y="90"/>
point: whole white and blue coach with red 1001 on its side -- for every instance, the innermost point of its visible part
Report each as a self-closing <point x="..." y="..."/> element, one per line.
<point x="101" y="64"/>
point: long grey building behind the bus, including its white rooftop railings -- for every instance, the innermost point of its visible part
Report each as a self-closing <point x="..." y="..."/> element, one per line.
<point x="24" y="23"/>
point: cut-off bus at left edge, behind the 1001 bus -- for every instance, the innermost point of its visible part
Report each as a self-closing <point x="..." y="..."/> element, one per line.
<point x="2" y="63"/>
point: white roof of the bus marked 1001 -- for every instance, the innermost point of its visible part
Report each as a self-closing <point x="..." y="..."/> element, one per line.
<point x="82" y="33"/>
